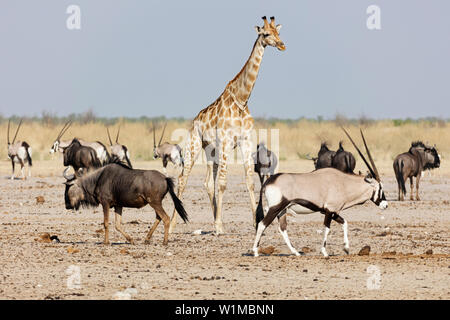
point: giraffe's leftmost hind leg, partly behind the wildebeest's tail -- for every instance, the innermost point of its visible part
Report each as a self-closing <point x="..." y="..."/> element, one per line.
<point x="193" y="148"/>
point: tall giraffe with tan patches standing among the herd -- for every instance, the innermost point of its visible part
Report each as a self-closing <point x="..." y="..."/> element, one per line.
<point x="225" y="124"/>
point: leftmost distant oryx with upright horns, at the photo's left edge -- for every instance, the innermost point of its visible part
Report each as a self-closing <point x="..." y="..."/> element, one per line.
<point x="19" y="152"/>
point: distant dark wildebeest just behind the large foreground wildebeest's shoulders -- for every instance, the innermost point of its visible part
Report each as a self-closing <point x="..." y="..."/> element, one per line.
<point x="79" y="156"/>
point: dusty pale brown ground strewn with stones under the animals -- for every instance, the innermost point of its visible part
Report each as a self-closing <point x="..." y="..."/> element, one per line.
<point x="209" y="267"/>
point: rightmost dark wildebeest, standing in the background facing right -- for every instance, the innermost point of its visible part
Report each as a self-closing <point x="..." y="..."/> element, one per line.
<point x="412" y="164"/>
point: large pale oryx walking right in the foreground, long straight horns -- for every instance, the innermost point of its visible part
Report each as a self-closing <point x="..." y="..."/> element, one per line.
<point x="328" y="191"/>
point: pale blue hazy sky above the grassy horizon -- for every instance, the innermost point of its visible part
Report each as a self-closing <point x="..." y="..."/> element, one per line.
<point x="173" y="58"/>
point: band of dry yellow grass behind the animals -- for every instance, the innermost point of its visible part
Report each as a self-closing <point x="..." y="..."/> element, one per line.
<point x="297" y="139"/>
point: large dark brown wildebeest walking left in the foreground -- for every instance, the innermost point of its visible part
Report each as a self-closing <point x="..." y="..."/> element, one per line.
<point x="116" y="185"/>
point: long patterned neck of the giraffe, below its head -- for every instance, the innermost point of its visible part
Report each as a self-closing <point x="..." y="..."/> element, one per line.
<point x="242" y="85"/>
